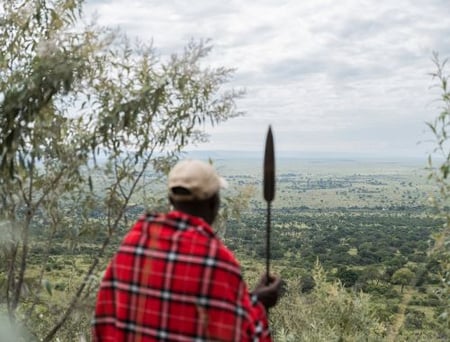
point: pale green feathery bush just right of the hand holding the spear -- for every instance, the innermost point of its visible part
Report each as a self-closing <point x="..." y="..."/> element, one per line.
<point x="328" y="313"/>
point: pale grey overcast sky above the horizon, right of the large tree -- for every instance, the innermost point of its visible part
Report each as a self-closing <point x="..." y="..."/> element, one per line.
<point x="345" y="77"/>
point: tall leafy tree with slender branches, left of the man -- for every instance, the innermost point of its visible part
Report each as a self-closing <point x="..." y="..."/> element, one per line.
<point x="84" y="117"/>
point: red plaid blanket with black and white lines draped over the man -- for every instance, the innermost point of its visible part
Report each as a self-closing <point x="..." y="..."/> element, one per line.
<point x="172" y="279"/>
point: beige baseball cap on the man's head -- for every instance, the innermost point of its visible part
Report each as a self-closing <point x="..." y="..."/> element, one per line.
<point x="192" y="179"/>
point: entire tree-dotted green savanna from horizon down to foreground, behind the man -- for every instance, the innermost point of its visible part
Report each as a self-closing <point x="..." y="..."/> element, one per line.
<point x="360" y="220"/>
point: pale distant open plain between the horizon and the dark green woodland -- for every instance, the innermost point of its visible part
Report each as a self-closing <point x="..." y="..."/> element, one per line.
<point x="337" y="183"/>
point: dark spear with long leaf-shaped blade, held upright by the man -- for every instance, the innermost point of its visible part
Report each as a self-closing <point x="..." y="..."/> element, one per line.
<point x="269" y="189"/>
